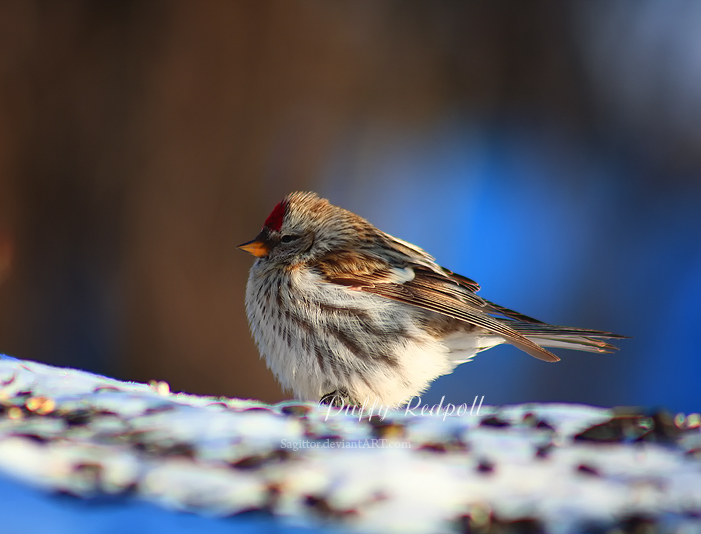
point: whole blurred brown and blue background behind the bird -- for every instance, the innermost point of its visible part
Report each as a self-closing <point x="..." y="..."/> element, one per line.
<point x="550" y="151"/>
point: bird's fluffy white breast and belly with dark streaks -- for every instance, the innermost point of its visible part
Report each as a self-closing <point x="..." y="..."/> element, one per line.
<point x="318" y="337"/>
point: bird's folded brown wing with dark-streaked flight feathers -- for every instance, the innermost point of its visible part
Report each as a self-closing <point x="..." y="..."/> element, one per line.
<point x="426" y="286"/>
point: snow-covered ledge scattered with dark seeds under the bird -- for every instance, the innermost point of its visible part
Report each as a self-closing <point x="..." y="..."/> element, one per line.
<point x="553" y="468"/>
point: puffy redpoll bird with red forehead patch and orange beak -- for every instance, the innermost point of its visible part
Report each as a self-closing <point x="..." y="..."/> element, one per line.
<point x="342" y="310"/>
